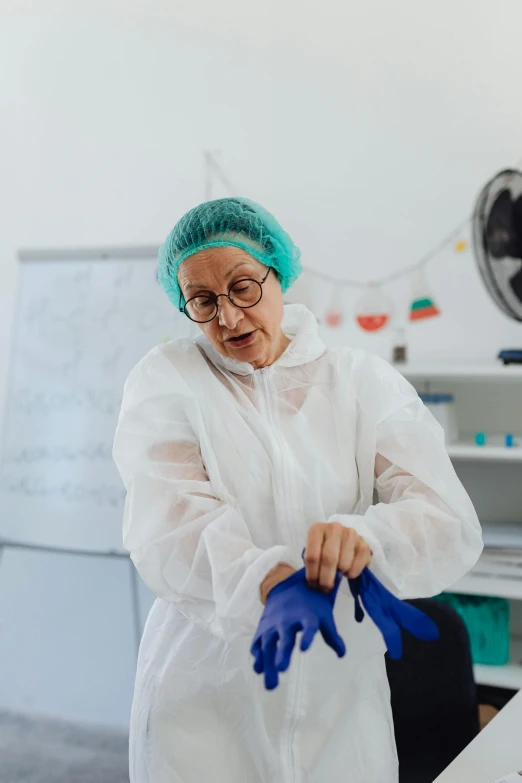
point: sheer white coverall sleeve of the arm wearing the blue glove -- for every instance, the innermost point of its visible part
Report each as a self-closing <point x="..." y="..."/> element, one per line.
<point x="189" y="544"/>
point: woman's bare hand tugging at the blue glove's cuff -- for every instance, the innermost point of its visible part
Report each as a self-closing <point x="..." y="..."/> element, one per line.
<point x="331" y="547"/>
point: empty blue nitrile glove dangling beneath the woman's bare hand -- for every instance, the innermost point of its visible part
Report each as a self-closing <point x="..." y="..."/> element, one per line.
<point x="390" y="614"/>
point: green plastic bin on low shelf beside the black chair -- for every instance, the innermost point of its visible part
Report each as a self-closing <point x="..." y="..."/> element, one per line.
<point x="487" y="621"/>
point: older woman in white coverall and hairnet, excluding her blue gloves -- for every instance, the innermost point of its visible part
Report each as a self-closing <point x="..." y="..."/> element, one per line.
<point x="238" y="450"/>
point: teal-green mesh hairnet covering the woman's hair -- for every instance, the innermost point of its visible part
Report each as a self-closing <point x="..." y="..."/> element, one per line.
<point x="228" y="222"/>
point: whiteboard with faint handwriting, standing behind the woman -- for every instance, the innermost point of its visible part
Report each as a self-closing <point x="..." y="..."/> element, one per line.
<point x="83" y="320"/>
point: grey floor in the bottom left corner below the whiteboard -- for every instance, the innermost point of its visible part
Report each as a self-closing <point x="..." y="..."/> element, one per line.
<point x="45" y="751"/>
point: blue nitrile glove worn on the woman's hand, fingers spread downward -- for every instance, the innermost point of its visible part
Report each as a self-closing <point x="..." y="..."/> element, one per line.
<point x="293" y="606"/>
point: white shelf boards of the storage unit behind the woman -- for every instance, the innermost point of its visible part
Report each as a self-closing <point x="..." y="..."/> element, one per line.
<point x="489" y="464"/>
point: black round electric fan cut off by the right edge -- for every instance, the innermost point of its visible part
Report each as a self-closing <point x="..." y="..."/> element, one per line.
<point x="497" y="242"/>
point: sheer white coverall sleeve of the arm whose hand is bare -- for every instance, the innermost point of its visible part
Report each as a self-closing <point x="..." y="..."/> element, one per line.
<point x="423" y="532"/>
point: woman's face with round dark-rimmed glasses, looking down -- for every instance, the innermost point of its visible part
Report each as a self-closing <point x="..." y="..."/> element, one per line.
<point x="214" y="271"/>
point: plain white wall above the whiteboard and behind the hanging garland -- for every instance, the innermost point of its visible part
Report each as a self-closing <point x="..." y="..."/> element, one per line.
<point x="366" y="127"/>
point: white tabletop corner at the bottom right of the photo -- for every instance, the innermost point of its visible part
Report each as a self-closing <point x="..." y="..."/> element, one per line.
<point x="495" y="752"/>
